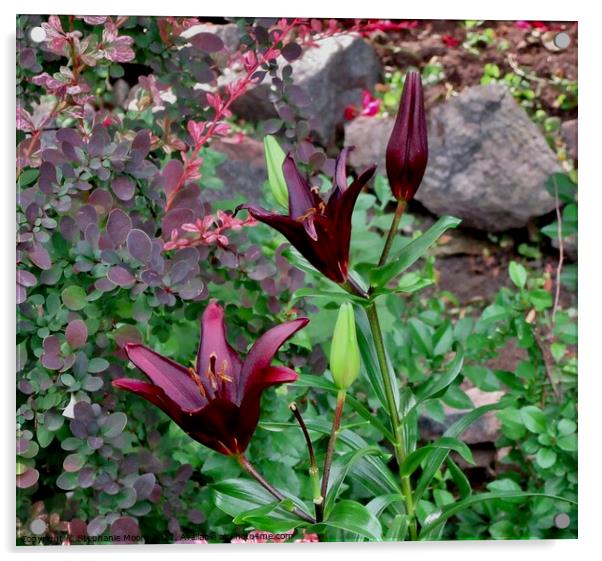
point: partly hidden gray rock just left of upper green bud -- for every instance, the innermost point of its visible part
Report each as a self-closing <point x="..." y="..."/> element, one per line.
<point x="243" y="172"/>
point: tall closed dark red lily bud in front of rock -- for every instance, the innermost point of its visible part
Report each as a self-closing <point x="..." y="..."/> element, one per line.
<point x="407" y="151"/>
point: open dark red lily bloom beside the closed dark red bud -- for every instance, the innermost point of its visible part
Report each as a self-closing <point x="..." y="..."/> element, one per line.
<point x="320" y="230"/>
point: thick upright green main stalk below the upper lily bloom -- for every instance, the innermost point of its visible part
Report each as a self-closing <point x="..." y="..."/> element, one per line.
<point x="399" y="444"/>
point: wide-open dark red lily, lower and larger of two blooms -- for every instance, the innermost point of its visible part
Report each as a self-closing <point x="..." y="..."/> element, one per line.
<point x="217" y="402"/>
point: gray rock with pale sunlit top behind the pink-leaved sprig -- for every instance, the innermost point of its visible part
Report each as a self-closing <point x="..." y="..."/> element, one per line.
<point x="333" y="75"/>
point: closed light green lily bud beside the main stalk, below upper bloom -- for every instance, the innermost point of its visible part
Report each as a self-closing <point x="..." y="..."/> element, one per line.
<point x="344" y="351"/>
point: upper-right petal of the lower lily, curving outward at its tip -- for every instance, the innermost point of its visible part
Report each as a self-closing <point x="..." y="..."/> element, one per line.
<point x="262" y="352"/>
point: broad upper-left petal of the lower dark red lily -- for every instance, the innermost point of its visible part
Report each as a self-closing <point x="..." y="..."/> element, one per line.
<point x="171" y="377"/>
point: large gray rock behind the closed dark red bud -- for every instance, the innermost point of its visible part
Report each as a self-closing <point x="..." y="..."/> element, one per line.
<point x="487" y="160"/>
